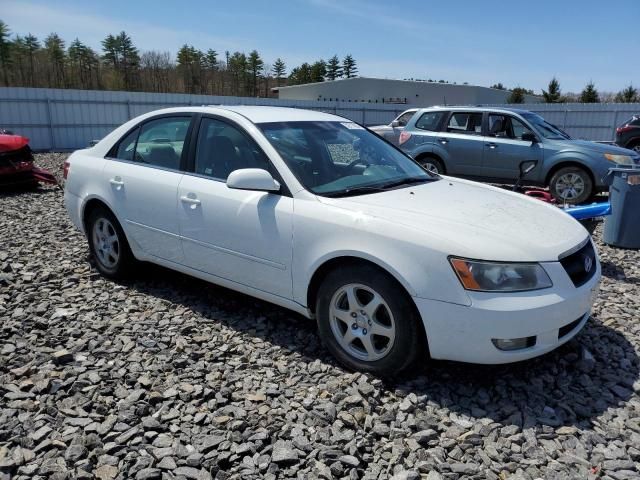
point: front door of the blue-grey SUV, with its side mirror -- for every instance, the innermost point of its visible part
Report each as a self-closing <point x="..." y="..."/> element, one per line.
<point x="504" y="148"/>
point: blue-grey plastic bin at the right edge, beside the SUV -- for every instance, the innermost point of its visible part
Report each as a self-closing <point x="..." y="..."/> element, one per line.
<point x="622" y="227"/>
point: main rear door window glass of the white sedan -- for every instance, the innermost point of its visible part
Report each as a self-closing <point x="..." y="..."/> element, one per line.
<point x="161" y="141"/>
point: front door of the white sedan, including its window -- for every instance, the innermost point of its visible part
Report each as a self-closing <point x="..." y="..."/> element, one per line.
<point x="242" y="236"/>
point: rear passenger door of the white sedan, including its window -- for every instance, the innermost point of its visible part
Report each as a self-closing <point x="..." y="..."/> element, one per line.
<point x="143" y="173"/>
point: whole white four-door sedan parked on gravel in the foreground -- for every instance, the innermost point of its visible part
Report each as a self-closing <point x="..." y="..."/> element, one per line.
<point x="313" y="212"/>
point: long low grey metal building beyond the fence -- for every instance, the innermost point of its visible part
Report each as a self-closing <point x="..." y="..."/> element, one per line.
<point x="409" y="92"/>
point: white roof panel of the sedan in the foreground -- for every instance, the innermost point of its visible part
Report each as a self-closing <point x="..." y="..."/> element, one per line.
<point x="260" y="114"/>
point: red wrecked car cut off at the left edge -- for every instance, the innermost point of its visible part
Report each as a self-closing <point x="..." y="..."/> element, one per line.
<point x="16" y="163"/>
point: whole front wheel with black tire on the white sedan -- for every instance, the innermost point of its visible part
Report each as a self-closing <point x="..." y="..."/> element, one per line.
<point x="401" y="336"/>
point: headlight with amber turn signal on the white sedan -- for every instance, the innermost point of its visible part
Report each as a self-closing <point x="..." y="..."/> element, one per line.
<point x="484" y="276"/>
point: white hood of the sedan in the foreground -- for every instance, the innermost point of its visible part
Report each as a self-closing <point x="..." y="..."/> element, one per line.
<point x="472" y="220"/>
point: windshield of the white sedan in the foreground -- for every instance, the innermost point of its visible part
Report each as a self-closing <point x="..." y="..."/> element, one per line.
<point x="342" y="158"/>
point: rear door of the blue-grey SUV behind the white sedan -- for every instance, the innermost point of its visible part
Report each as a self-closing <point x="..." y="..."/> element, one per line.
<point x="462" y="143"/>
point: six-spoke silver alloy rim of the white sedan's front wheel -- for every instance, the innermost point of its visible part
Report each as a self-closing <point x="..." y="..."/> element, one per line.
<point x="362" y="322"/>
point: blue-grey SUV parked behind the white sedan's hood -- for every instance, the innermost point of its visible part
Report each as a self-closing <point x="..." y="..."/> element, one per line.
<point x="490" y="143"/>
